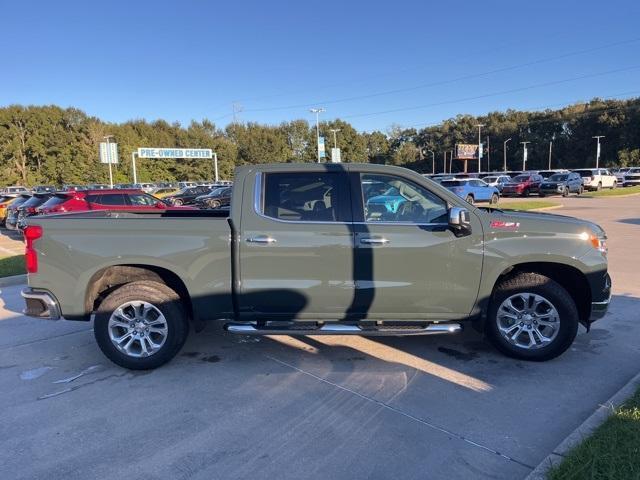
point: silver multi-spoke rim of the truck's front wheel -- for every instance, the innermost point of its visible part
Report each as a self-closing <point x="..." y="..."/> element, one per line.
<point x="528" y="320"/>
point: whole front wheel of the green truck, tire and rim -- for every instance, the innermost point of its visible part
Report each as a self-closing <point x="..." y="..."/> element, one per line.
<point x="531" y="317"/>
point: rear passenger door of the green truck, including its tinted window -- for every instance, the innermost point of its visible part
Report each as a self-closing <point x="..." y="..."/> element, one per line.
<point x="296" y="244"/>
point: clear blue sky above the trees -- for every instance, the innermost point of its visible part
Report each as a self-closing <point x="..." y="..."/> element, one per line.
<point x="419" y="61"/>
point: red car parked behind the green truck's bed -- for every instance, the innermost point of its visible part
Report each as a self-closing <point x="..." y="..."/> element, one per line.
<point x="74" y="201"/>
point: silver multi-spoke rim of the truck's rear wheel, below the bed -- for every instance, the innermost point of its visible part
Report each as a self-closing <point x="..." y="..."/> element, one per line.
<point x="138" y="329"/>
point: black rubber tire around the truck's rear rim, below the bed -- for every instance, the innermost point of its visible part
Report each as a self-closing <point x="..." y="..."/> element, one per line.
<point x="165" y="300"/>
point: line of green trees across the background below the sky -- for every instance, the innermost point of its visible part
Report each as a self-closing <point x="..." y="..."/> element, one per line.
<point x="53" y="145"/>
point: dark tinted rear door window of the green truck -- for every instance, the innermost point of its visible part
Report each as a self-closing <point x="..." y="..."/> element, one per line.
<point x="307" y="197"/>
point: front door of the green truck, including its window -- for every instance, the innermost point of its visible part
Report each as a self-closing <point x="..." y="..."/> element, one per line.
<point x="410" y="264"/>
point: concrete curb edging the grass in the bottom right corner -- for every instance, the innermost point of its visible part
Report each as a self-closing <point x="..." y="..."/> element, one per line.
<point x="587" y="427"/>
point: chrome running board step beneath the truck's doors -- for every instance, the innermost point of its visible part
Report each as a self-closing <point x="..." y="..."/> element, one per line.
<point x="341" y="329"/>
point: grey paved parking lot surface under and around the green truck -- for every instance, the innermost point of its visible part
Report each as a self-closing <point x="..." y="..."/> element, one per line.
<point x="311" y="407"/>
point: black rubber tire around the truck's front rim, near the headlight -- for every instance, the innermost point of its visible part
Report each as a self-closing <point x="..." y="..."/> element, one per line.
<point x="554" y="293"/>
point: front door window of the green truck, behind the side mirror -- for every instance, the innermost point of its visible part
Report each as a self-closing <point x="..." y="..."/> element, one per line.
<point x="406" y="201"/>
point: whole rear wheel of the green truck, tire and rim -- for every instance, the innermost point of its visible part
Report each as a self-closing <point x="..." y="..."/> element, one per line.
<point x="141" y="325"/>
